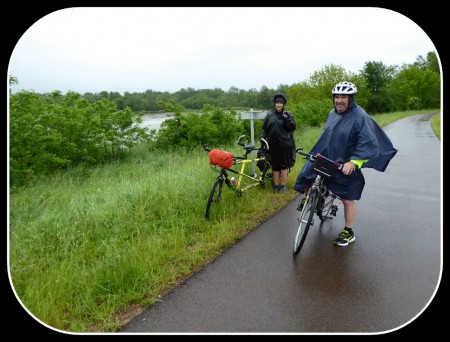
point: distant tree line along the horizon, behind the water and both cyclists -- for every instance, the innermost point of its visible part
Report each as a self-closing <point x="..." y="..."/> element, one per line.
<point x="382" y="89"/>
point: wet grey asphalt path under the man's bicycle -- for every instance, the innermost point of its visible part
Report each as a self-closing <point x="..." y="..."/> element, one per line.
<point x="381" y="283"/>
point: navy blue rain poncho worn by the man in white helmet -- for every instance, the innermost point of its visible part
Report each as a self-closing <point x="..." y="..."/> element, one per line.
<point x="352" y="135"/>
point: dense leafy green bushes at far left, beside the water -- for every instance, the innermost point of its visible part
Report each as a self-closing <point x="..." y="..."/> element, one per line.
<point x="53" y="132"/>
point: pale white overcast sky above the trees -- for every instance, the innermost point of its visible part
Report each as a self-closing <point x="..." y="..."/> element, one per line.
<point x="132" y="49"/>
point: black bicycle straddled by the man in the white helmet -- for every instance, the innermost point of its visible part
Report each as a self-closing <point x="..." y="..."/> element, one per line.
<point x="318" y="200"/>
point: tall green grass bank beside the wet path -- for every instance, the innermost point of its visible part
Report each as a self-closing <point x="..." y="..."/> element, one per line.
<point x="92" y="247"/>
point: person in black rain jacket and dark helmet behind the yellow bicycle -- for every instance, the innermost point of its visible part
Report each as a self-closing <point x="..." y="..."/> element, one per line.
<point x="277" y="130"/>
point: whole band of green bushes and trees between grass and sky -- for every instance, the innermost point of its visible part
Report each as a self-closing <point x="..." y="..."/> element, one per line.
<point x="52" y="131"/>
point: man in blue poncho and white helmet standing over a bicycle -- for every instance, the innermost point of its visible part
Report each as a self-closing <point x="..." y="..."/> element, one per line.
<point x="353" y="138"/>
